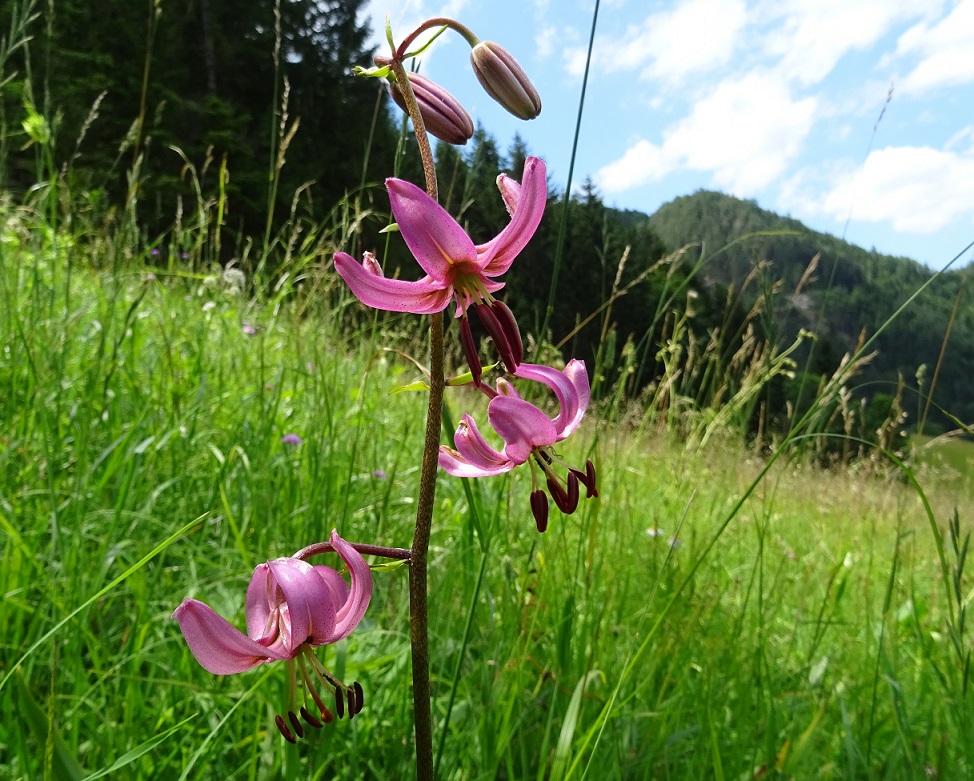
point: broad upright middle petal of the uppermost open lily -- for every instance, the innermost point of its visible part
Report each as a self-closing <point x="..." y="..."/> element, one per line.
<point x="434" y="238"/>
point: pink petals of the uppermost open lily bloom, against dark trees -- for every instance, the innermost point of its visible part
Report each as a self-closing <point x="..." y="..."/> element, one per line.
<point x="455" y="267"/>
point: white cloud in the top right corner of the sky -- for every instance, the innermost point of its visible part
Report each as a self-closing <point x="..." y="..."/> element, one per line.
<point x="944" y="48"/>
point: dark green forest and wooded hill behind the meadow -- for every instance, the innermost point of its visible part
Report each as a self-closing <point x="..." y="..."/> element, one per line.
<point x="140" y="110"/>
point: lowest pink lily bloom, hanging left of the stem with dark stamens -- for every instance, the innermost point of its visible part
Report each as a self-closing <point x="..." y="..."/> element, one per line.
<point x="292" y="607"/>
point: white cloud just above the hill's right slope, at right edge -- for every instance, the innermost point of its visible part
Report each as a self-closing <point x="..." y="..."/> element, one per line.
<point x="917" y="189"/>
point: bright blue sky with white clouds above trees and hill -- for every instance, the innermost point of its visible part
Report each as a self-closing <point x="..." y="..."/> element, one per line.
<point x="775" y="100"/>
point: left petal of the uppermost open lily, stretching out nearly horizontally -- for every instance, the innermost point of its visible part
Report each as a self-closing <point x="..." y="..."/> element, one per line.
<point x="422" y="297"/>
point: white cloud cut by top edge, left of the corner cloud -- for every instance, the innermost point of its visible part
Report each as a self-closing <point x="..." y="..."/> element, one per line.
<point x="809" y="37"/>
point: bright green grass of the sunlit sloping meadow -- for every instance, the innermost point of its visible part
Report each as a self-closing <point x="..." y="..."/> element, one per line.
<point x="141" y="463"/>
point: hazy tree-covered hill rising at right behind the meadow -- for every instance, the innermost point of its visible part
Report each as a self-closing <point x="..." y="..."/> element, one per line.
<point x="866" y="289"/>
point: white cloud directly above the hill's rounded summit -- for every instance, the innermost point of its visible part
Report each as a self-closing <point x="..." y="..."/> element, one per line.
<point x="744" y="133"/>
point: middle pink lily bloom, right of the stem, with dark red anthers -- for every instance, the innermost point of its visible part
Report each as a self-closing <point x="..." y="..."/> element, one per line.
<point x="529" y="435"/>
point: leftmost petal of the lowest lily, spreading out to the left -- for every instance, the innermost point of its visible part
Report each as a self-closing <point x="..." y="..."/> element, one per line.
<point x="219" y="647"/>
